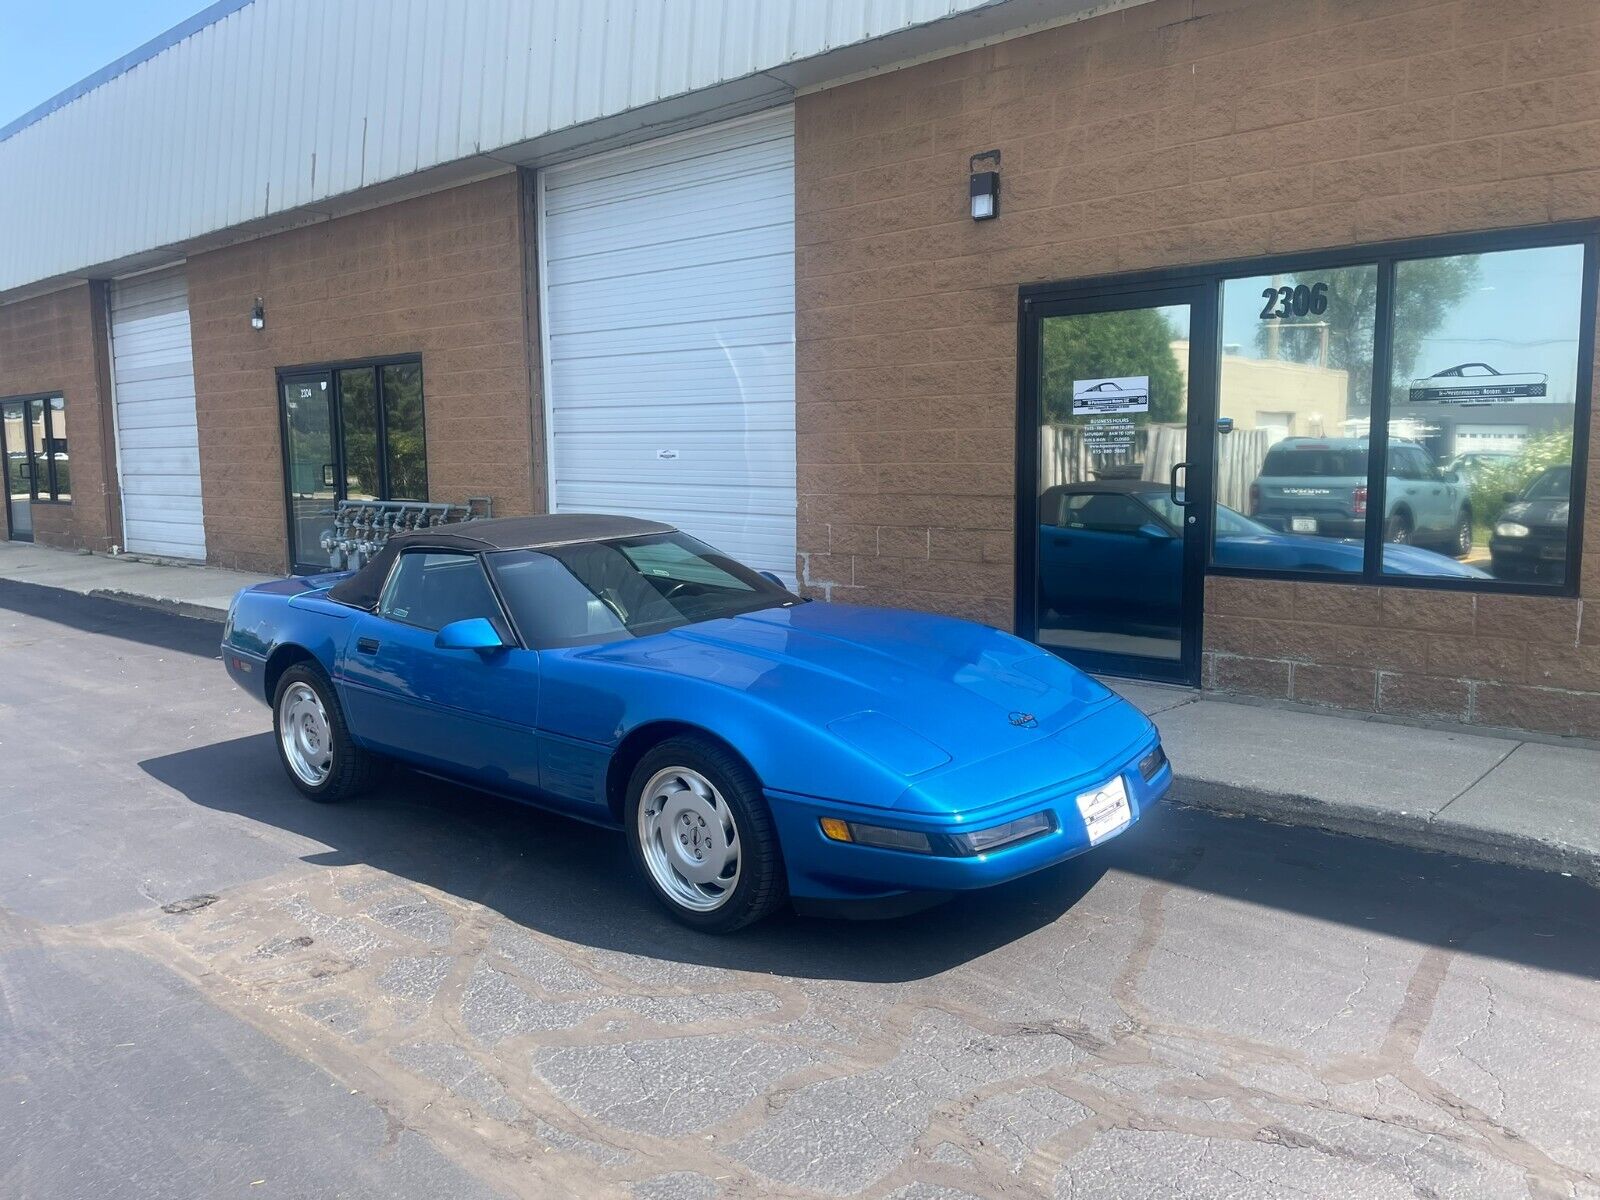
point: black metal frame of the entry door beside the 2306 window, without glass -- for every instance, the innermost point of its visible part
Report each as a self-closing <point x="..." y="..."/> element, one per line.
<point x="1202" y="382"/>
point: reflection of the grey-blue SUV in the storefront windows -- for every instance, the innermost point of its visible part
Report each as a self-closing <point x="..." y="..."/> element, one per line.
<point x="1318" y="486"/>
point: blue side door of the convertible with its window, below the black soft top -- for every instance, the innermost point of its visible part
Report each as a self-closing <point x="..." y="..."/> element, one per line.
<point x="463" y="713"/>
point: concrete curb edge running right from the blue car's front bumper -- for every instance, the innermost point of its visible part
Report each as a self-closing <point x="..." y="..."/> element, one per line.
<point x="1417" y="831"/>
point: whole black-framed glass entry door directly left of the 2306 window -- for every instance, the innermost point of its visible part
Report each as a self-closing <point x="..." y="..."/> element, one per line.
<point x="1113" y="543"/>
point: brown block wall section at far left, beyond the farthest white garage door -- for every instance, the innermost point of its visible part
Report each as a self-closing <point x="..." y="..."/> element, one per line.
<point x="57" y="343"/>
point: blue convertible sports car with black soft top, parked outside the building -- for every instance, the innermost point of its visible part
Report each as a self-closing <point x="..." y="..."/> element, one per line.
<point x="751" y="745"/>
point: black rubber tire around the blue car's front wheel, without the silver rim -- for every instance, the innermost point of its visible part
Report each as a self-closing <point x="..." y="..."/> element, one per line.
<point x="762" y="886"/>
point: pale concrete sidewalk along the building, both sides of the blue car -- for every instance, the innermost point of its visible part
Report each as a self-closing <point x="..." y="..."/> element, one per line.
<point x="1532" y="802"/>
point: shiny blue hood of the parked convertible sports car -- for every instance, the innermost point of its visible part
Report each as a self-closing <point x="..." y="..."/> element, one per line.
<point x="916" y="692"/>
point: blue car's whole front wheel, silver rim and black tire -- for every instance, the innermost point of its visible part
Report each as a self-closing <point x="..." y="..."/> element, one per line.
<point x="700" y="834"/>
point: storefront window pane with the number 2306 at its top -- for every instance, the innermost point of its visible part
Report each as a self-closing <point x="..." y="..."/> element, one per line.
<point x="1294" y="406"/>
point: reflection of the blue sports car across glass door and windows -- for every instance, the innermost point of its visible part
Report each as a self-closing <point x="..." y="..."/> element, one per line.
<point x="1116" y="548"/>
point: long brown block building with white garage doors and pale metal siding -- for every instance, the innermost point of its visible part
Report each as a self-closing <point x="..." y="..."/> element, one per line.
<point x="1271" y="372"/>
